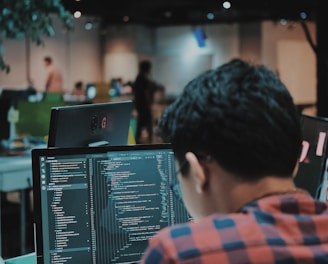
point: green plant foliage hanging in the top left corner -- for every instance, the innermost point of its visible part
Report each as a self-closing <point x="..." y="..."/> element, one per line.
<point x="29" y="18"/>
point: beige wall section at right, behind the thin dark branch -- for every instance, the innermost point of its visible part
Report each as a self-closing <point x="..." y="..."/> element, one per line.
<point x="286" y="50"/>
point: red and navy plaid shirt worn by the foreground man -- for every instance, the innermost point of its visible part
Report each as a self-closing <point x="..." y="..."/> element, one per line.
<point x="288" y="228"/>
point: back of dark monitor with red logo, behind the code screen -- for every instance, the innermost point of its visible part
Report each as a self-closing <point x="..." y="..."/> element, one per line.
<point x="90" y="124"/>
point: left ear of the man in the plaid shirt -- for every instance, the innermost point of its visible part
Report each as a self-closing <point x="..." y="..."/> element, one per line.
<point x="196" y="172"/>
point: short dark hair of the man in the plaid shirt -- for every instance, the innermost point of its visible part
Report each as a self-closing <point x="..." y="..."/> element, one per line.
<point x="241" y="115"/>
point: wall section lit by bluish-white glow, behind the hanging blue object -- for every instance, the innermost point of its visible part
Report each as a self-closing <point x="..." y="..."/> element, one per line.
<point x="179" y="59"/>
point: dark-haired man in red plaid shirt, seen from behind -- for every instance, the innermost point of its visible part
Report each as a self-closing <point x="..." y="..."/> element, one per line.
<point x="237" y="137"/>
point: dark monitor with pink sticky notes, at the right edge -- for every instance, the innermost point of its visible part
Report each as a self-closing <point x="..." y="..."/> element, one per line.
<point x="314" y="154"/>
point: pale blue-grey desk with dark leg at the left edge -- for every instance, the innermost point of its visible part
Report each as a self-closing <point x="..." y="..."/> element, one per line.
<point x="16" y="175"/>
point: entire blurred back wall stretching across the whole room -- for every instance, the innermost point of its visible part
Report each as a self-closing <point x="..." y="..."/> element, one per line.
<point x="93" y="56"/>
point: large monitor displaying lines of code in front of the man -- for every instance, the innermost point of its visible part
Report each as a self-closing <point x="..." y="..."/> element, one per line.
<point x="102" y="204"/>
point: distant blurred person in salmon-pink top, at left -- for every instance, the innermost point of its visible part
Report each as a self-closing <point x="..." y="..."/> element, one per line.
<point x="54" y="80"/>
